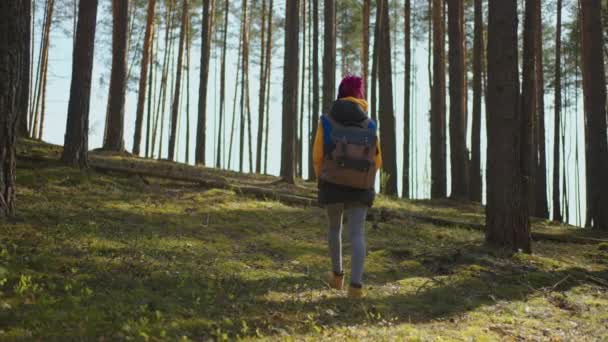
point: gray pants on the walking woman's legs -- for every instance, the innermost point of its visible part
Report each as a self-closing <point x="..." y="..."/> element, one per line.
<point x="355" y="215"/>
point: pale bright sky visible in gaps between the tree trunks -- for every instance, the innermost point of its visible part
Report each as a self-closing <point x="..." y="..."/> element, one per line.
<point x="60" y="58"/>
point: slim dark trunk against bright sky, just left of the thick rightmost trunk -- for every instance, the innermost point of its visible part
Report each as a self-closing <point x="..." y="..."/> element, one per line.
<point x="557" y="213"/>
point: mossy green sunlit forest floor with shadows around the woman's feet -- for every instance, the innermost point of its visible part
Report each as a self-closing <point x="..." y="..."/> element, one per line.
<point x="107" y="256"/>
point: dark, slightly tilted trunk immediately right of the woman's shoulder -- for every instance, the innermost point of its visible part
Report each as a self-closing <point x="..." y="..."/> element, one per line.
<point x="385" y="104"/>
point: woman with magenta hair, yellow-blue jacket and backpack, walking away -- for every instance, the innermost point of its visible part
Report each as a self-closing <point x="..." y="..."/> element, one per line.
<point x="346" y="157"/>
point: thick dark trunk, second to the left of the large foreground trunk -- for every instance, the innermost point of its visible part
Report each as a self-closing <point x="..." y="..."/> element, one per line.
<point x="458" y="93"/>
